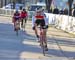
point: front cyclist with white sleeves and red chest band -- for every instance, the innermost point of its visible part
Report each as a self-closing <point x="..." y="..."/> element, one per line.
<point x="40" y="19"/>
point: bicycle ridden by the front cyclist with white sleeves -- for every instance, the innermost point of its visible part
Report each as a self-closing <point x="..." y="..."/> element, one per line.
<point x="42" y="41"/>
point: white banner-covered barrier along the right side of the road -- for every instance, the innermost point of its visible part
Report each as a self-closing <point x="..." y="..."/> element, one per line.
<point x="63" y="22"/>
